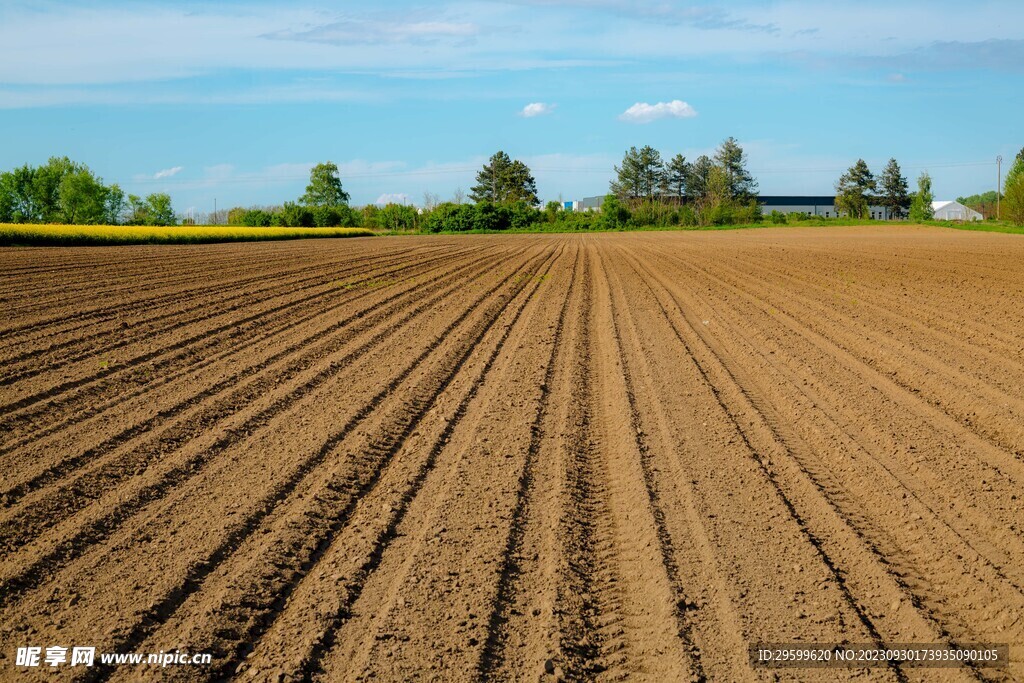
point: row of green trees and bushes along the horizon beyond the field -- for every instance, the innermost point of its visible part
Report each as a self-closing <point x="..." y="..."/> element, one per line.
<point x="647" y="191"/>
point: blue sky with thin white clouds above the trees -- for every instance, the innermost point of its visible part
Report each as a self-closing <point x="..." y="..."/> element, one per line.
<point x="236" y="101"/>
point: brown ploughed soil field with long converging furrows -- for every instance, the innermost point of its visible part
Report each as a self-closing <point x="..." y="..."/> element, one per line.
<point x="524" y="458"/>
